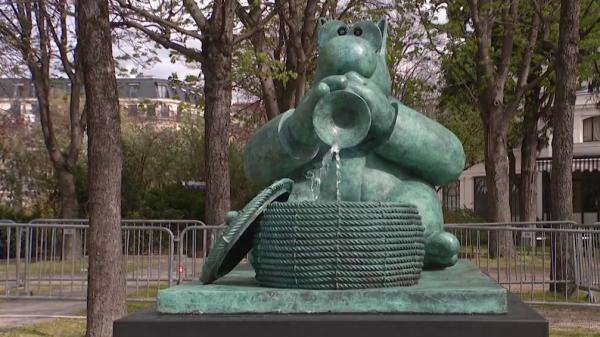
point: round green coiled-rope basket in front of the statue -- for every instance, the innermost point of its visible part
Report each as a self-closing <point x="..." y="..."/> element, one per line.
<point x="338" y="245"/>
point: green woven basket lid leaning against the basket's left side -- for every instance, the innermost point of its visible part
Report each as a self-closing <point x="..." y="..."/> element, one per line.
<point x="236" y="241"/>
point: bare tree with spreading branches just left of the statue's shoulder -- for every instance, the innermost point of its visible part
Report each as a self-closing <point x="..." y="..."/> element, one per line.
<point x="180" y="27"/>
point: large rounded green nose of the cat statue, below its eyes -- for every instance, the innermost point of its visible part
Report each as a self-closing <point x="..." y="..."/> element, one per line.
<point x="344" y="54"/>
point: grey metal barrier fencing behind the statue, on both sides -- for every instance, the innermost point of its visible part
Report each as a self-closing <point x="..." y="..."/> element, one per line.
<point x="543" y="262"/>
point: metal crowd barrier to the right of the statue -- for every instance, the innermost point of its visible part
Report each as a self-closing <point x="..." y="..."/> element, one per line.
<point x="547" y="263"/>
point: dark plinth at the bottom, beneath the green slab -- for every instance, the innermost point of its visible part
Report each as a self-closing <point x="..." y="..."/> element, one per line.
<point x="519" y="321"/>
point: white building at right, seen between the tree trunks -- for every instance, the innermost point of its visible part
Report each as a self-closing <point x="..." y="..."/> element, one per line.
<point x="470" y="190"/>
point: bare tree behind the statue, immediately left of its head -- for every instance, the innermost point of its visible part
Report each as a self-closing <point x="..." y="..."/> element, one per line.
<point x="290" y="41"/>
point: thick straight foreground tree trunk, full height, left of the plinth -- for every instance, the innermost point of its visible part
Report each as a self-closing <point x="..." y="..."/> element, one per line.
<point x="106" y="278"/>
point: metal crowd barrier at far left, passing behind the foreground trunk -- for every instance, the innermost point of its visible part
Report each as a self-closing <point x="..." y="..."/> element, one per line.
<point x="49" y="260"/>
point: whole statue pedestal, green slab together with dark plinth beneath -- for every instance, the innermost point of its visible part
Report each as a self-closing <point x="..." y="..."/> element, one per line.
<point x="454" y="302"/>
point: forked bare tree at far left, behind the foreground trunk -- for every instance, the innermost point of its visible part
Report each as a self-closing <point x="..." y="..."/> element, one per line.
<point x="39" y="31"/>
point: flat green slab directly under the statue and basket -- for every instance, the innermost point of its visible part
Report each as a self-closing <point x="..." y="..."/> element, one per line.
<point x="461" y="289"/>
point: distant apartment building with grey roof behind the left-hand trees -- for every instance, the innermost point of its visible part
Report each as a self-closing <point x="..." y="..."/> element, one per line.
<point x="140" y="98"/>
